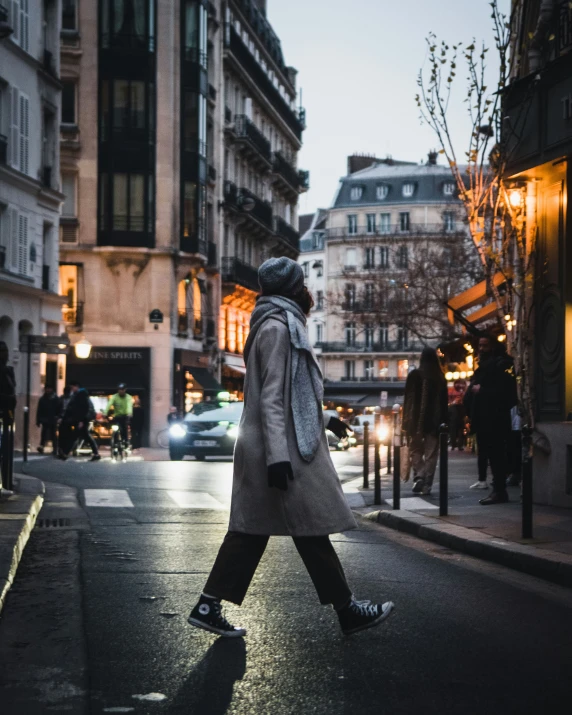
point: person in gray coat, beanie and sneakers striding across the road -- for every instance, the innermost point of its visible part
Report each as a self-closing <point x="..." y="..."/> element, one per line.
<point x="284" y="482"/>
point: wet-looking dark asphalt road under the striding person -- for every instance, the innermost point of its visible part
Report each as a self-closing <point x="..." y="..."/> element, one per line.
<point x="98" y="613"/>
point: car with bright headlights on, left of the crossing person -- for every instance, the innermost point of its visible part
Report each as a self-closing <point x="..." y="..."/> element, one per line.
<point x="209" y="429"/>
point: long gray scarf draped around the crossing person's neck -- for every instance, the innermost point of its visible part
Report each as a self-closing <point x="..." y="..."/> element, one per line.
<point x="306" y="379"/>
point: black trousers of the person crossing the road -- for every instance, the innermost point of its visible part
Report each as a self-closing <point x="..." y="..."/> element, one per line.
<point x="240" y="555"/>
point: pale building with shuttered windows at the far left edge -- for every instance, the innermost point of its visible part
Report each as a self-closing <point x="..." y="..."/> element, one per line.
<point x="30" y="97"/>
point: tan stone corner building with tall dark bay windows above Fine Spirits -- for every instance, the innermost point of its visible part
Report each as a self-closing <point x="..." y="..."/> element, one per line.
<point x="145" y="141"/>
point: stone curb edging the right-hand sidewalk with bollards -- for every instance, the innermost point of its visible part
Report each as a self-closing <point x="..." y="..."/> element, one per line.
<point x="548" y="565"/>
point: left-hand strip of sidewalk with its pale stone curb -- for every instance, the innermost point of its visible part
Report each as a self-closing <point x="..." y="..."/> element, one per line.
<point x="18" y="516"/>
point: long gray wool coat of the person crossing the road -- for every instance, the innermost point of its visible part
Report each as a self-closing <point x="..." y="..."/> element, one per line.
<point x="314" y="503"/>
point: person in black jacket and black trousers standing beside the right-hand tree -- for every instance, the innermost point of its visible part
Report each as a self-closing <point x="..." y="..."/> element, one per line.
<point x="488" y="401"/>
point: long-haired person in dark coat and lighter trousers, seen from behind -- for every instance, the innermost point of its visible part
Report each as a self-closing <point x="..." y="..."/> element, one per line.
<point x="424" y="410"/>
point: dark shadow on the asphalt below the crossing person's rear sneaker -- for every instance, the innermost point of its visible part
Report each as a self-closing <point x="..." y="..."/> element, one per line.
<point x="208" y="689"/>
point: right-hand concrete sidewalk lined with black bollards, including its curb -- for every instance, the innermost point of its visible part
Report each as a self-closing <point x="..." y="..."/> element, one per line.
<point x="488" y="532"/>
